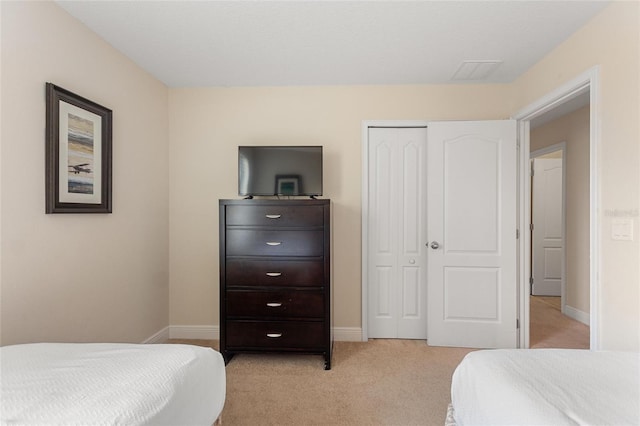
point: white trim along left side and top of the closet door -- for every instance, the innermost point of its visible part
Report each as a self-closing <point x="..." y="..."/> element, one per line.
<point x="365" y="209"/>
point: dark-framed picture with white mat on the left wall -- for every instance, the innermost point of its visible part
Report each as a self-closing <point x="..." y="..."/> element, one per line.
<point x="78" y="154"/>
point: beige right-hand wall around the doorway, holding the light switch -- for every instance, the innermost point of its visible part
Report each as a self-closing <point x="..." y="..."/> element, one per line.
<point x="610" y="41"/>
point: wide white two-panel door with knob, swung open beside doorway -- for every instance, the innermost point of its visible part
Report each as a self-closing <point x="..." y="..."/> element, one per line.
<point x="472" y="300"/>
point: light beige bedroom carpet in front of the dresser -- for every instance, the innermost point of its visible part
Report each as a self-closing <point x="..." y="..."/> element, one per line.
<point x="380" y="382"/>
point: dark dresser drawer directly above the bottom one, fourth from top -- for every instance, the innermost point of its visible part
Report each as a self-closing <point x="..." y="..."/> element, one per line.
<point x="275" y="304"/>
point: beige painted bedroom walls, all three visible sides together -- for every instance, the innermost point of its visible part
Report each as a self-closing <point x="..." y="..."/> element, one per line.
<point x="105" y="277"/>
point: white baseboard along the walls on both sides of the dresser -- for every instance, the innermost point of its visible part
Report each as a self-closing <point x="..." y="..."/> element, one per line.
<point x="212" y="332"/>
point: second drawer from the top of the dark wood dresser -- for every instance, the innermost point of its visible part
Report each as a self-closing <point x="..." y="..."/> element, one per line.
<point x="250" y="242"/>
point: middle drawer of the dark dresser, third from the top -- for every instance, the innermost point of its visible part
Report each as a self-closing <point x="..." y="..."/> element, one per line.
<point x="287" y="273"/>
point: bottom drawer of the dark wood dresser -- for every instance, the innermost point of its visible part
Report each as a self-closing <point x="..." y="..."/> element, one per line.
<point x="279" y="335"/>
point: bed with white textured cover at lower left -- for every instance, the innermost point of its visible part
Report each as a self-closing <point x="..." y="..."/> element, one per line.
<point x="109" y="384"/>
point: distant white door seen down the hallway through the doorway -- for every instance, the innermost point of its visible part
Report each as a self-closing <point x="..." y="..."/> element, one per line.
<point x="547" y="221"/>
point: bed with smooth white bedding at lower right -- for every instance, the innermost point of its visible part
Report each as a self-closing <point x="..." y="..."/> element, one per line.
<point x="546" y="387"/>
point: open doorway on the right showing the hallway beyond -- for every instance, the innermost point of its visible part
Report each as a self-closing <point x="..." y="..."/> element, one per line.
<point x="559" y="282"/>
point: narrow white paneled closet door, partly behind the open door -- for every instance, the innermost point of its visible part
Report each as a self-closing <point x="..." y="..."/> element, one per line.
<point x="396" y="233"/>
